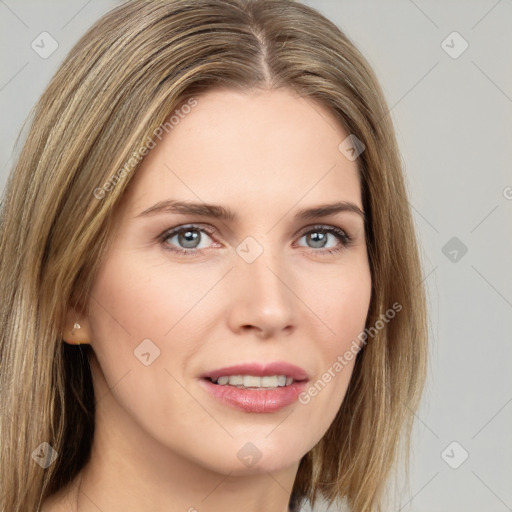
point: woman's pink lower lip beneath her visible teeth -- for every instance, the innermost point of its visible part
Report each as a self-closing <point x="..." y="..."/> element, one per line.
<point x="255" y="400"/>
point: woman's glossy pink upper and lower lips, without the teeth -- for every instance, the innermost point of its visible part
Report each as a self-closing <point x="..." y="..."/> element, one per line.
<point x="253" y="400"/>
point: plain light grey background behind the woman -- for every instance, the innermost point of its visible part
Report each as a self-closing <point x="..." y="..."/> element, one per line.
<point x="453" y="118"/>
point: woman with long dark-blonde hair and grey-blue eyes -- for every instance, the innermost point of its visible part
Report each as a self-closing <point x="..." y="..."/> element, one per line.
<point x="211" y="287"/>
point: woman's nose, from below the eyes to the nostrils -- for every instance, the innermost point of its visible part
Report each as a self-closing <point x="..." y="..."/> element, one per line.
<point x="261" y="297"/>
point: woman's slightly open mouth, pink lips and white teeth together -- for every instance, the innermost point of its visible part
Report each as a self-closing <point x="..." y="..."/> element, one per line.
<point x="256" y="387"/>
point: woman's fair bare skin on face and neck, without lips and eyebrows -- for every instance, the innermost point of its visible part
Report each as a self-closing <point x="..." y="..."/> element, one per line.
<point x="162" y="442"/>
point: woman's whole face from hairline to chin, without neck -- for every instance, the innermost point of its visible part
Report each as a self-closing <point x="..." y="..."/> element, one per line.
<point x="267" y="287"/>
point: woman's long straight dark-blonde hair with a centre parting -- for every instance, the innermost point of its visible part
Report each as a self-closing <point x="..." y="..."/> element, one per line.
<point x="120" y="82"/>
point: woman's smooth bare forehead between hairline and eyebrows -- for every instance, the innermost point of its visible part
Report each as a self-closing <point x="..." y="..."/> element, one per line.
<point x="251" y="148"/>
